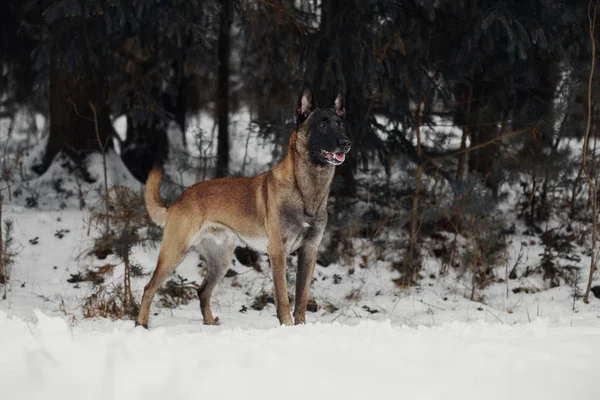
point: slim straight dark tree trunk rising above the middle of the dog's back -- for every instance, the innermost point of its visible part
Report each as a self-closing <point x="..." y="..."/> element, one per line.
<point x="223" y="91"/>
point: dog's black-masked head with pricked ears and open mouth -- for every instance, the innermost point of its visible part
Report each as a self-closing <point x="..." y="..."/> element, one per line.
<point x="322" y="130"/>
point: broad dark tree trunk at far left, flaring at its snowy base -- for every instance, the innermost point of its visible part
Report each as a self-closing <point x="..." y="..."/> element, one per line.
<point x="72" y="129"/>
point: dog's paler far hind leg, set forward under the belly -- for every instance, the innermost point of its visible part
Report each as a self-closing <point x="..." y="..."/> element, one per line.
<point x="218" y="252"/>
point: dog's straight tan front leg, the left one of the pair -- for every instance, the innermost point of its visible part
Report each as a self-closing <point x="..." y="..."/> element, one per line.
<point x="277" y="257"/>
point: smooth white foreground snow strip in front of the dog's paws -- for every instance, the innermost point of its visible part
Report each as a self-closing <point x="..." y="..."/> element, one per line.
<point x="99" y="359"/>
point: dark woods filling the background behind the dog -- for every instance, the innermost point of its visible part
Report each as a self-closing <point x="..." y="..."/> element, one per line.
<point x="509" y="76"/>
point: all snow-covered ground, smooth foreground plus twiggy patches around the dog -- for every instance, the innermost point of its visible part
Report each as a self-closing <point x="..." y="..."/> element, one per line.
<point x="368" y="337"/>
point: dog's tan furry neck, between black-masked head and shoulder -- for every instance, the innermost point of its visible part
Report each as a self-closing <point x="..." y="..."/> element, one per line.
<point x="312" y="181"/>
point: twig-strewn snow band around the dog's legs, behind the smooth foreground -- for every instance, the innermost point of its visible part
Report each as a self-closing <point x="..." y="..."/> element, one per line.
<point x="36" y="283"/>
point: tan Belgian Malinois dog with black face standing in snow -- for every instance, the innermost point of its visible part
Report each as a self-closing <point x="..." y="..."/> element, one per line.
<point x="279" y="212"/>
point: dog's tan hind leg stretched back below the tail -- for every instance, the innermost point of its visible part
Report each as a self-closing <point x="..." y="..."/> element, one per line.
<point x="176" y="242"/>
